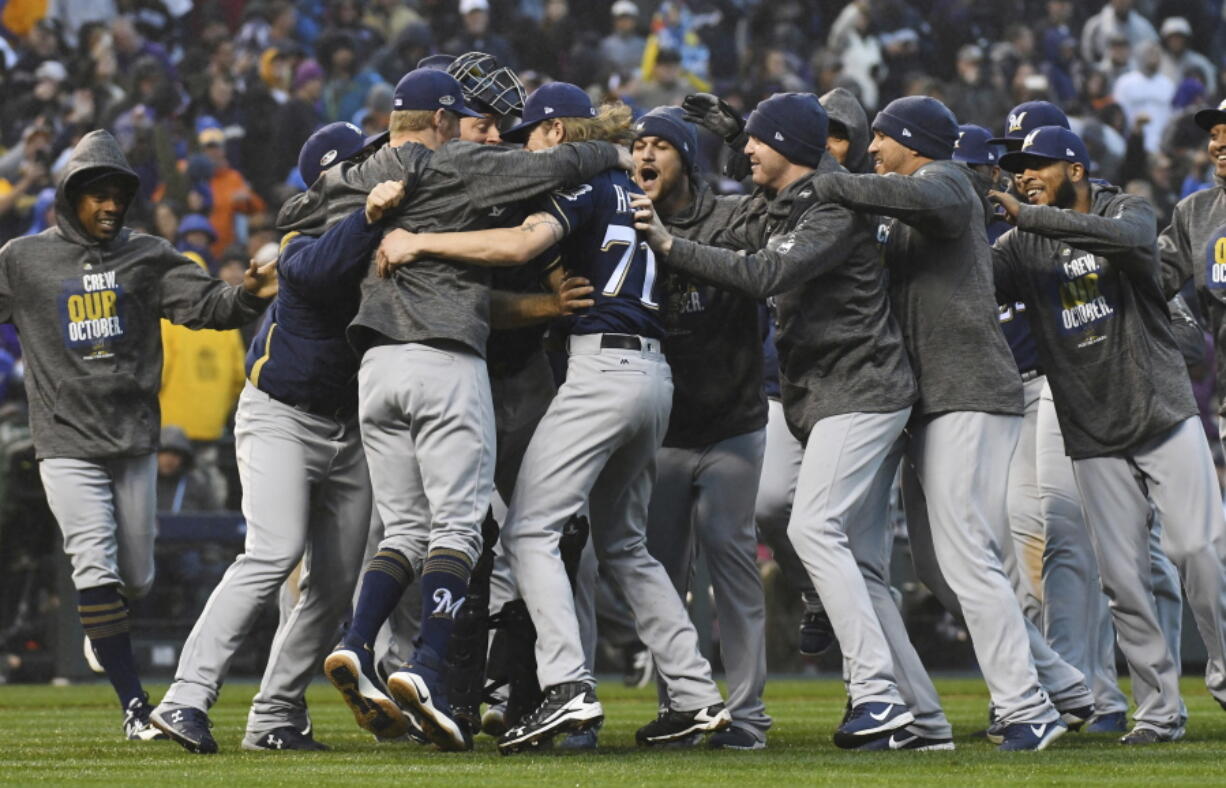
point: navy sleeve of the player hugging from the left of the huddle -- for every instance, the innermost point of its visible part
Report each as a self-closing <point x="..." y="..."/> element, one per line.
<point x="318" y="264"/>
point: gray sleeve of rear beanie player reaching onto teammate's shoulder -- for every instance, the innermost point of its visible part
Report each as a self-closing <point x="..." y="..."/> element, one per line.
<point x="929" y="202"/>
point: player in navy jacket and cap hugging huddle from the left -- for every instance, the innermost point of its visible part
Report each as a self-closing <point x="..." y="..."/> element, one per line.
<point x="306" y="486"/>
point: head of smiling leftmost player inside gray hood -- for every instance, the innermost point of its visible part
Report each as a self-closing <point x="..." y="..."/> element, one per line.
<point x="95" y="191"/>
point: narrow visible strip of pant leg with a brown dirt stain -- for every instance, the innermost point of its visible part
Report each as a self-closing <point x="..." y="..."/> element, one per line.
<point x="1024" y="564"/>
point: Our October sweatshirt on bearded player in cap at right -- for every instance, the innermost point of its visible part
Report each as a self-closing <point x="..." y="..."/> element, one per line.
<point x="1092" y="287"/>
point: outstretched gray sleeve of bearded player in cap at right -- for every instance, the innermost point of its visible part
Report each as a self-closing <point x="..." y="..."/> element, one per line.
<point x="1126" y="236"/>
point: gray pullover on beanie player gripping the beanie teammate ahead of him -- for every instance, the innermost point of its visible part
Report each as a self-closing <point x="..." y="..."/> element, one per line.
<point x="941" y="284"/>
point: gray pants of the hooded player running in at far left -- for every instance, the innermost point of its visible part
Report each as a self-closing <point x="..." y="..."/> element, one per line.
<point x="107" y="512"/>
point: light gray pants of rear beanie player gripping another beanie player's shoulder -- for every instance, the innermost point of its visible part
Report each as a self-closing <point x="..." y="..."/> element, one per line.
<point x="962" y="465"/>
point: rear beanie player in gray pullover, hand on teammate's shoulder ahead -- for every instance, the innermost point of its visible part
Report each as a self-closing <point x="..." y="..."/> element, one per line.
<point x="965" y="428"/>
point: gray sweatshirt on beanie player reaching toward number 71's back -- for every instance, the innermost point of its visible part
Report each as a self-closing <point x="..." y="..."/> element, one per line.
<point x="840" y="350"/>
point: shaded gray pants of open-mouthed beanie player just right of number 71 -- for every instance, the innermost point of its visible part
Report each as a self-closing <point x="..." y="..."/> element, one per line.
<point x="703" y="501"/>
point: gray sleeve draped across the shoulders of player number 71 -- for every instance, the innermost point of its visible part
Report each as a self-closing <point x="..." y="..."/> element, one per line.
<point x="495" y="176"/>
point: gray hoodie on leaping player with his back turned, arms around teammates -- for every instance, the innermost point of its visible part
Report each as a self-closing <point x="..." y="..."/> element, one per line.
<point x="460" y="187"/>
